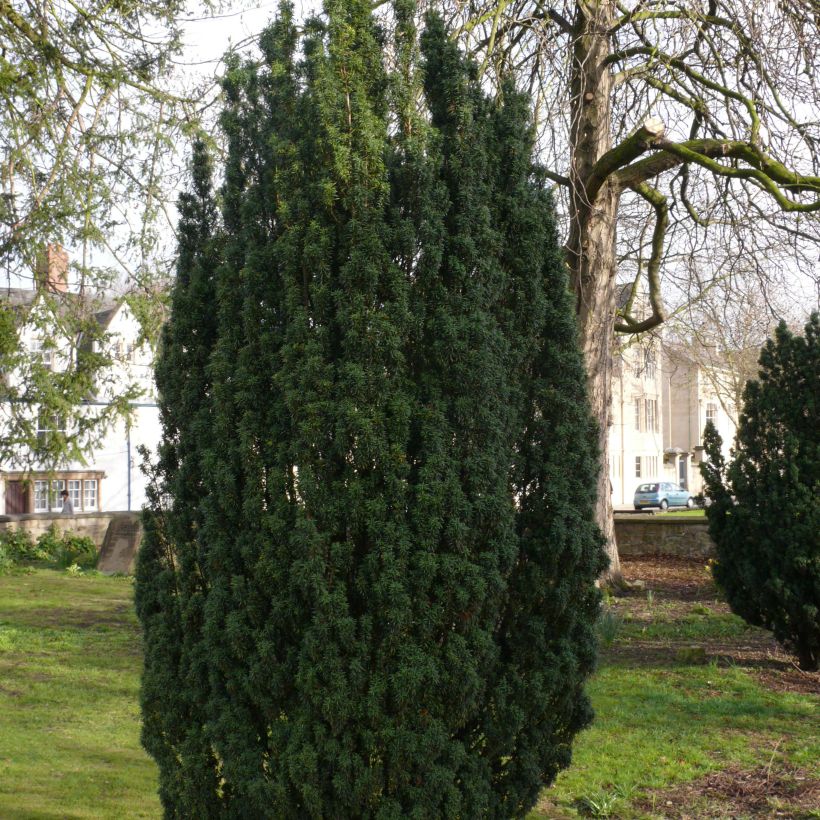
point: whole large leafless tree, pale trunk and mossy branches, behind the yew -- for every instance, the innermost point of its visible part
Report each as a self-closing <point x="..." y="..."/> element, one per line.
<point x="682" y="136"/>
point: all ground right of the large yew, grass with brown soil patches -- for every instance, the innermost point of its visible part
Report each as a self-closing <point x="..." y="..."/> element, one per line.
<point x="699" y="715"/>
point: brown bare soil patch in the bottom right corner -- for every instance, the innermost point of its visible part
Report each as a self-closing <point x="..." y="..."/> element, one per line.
<point x="733" y="793"/>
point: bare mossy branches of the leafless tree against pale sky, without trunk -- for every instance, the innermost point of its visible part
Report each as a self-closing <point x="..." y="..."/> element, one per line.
<point x="731" y="181"/>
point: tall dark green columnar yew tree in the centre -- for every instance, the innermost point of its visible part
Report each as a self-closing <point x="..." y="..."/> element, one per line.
<point x="373" y="592"/>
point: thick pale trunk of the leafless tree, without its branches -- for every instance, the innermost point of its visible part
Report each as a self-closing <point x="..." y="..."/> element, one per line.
<point x="591" y="245"/>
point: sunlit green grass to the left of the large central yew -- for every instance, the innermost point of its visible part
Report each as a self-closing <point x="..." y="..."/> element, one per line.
<point x="70" y="661"/>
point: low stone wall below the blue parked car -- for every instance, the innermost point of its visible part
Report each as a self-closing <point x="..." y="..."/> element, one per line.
<point x="644" y="535"/>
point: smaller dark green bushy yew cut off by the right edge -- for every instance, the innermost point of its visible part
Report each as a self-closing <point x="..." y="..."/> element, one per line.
<point x="765" y="511"/>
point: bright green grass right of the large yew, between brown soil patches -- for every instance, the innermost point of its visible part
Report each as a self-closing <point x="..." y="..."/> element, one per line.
<point x="657" y="727"/>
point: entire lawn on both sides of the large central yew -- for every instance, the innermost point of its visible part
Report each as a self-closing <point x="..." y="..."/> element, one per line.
<point x="698" y="714"/>
